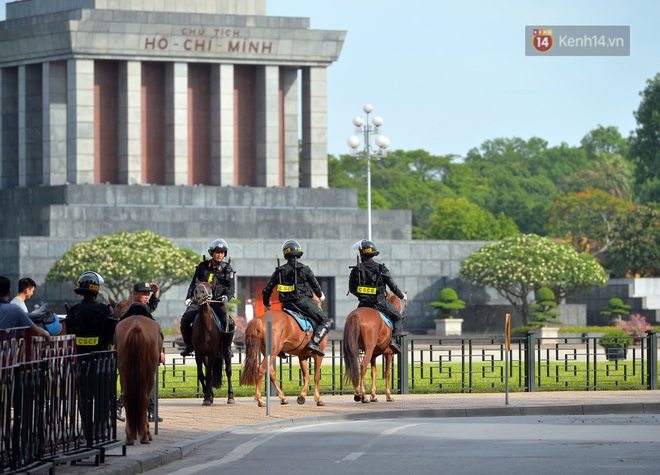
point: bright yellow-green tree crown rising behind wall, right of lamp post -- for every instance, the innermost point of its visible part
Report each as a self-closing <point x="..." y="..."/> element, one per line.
<point x="459" y="219"/>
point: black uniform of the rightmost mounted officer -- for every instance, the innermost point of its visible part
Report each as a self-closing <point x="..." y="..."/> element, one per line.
<point x="368" y="281"/>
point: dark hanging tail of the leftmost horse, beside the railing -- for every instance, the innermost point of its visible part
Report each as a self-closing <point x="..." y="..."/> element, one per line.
<point x="141" y="374"/>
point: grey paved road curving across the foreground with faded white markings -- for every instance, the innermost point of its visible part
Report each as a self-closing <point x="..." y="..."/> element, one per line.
<point x="610" y="444"/>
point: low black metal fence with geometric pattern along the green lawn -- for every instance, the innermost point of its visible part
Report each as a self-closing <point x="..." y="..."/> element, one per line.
<point x="466" y="365"/>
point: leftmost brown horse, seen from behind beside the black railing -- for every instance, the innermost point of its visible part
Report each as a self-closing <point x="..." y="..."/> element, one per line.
<point x="139" y="346"/>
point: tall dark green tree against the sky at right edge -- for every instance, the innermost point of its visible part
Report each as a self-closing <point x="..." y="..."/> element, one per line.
<point x="645" y="142"/>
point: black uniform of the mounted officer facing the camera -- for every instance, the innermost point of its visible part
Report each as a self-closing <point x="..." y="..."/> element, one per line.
<point x="207" y="271"/>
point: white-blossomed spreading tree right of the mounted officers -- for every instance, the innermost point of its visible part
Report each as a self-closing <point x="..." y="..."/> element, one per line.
<point x="515" y="267"/>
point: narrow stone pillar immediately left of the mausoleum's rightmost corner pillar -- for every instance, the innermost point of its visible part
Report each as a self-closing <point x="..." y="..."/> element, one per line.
<point x="290" y="136"/>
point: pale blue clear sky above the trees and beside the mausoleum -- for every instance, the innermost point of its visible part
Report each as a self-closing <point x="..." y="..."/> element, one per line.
<point x="446" y="76"/>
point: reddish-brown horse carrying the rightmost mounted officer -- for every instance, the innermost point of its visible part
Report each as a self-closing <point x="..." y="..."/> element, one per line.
<point x="365" y="330"/>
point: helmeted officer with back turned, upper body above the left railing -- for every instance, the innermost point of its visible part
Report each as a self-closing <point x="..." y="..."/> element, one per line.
<point x="92" y="322"/>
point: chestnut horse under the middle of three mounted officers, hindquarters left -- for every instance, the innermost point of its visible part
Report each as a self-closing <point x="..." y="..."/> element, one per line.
<point x="287" y="336"/>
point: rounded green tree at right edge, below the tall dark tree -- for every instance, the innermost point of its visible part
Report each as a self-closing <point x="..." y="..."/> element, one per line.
<point x="636" y="248"/>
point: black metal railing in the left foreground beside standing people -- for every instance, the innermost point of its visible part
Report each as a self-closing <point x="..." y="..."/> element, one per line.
<point x="55" y="406"/>
